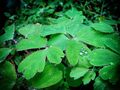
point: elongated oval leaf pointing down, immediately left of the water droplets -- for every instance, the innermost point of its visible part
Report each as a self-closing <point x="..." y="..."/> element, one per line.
<point x="72" y="52"/>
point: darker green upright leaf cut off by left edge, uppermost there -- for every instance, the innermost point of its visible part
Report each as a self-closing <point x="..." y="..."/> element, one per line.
<point x="9" y="33"/>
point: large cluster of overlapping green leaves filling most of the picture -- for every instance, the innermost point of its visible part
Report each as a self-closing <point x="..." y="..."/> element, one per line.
<point x="53" y="50"/>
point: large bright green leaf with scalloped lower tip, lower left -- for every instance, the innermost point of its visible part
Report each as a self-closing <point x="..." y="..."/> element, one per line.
<point x="36" y="60"/>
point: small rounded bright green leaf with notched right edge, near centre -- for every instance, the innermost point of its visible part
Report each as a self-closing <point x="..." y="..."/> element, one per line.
<point x="54" y="55"/>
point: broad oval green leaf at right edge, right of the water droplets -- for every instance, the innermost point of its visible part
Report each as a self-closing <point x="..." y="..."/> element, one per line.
<point x="101" y="57"/>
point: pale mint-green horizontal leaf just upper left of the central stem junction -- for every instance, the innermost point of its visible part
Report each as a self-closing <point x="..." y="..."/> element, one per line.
<point x="52" y="29"/>
